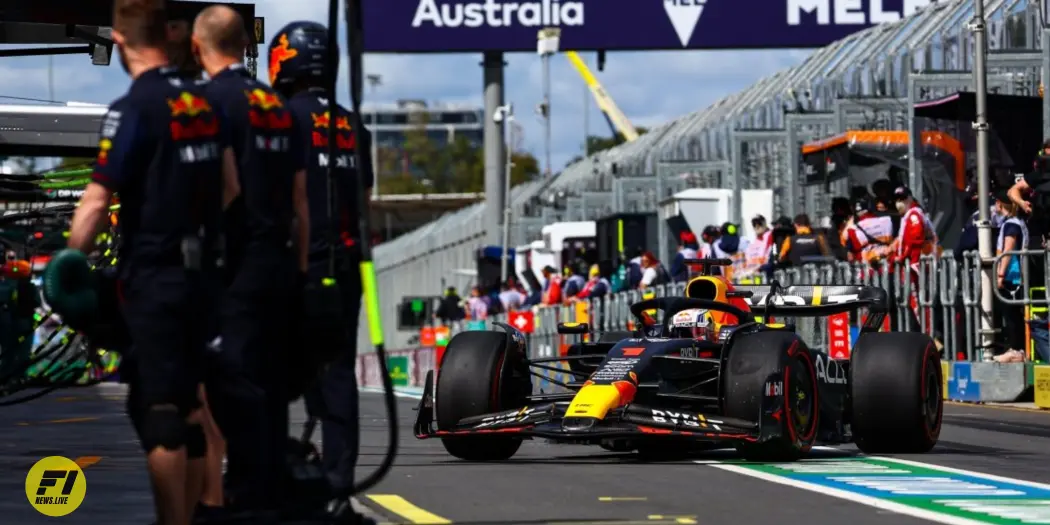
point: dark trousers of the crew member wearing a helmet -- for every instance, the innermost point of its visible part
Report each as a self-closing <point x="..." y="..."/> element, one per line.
<point x="334" y="397"/>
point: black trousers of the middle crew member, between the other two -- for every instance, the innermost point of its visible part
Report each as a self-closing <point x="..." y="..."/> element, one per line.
<point x="246" y="384"/>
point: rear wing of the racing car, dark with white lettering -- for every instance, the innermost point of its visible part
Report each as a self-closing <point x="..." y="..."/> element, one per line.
<point x="813" y="301"/>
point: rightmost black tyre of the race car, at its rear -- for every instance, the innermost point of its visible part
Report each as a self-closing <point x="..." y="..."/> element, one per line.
<point x="901" y="371"/>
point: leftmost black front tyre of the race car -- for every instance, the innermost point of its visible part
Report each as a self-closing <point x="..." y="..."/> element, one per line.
<point x="479" y="375"/>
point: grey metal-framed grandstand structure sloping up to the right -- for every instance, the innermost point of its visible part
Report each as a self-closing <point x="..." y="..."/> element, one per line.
<point x="750" y="140"/>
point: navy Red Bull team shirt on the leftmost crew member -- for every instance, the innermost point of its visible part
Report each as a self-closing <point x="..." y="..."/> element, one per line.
<point x="162" y="152"/>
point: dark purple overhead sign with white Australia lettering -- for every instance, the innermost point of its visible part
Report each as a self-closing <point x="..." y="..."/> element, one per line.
<point x="507" y="26"/>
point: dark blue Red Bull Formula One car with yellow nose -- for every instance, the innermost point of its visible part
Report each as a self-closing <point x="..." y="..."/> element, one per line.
<point x="710" y="374"/>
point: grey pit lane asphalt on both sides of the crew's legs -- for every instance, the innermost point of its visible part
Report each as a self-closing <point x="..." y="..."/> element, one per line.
<point x="542" y="485"/>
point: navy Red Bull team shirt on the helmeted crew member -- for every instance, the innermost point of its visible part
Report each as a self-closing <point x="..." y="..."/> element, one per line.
<point x="311" y="111"/>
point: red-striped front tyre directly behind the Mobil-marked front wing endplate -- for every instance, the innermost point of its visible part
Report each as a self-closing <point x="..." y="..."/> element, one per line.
<point x="752" y="361"/>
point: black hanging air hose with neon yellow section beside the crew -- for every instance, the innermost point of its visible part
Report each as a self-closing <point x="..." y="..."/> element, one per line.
<point x="355" y="49"/>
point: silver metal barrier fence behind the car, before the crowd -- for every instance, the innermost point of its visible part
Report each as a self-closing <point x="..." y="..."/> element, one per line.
<point x="941" y="298"/>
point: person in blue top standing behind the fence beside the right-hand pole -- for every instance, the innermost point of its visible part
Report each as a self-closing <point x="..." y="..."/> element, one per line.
<point x="1013" y="237"/>
